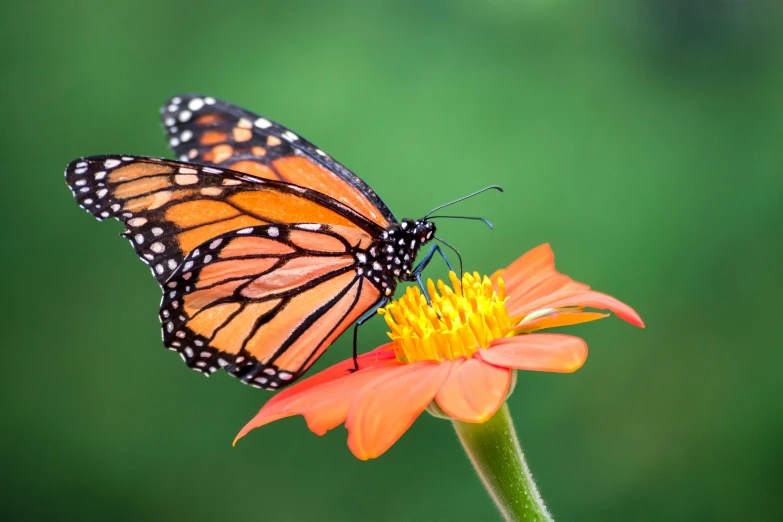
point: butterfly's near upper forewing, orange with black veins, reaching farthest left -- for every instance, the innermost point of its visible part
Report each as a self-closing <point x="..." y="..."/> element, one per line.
<point x="169" y="208"/>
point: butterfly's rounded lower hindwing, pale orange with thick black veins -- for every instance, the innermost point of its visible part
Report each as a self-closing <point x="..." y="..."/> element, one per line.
<point x="266" y="301"/>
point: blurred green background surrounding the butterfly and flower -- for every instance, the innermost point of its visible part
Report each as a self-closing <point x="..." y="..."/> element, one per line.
<point x="641" y="138"/>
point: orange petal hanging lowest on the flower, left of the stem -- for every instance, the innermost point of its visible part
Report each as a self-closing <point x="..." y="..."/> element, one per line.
<point x="388" y="406"/>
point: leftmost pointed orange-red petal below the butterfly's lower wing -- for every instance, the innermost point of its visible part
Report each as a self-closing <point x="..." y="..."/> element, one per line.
<point x="324" y="399"/>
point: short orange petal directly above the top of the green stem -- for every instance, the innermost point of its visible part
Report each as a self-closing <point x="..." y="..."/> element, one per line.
<point x="474" y="390"/>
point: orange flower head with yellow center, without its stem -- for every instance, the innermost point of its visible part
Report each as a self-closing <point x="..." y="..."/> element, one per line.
<point x="459" y="353"/>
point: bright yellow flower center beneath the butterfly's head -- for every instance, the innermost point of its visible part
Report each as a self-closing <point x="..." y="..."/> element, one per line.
<point x="457" y="323"/>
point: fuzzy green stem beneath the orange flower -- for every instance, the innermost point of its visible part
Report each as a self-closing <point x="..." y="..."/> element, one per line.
<point x="494" y="450"/>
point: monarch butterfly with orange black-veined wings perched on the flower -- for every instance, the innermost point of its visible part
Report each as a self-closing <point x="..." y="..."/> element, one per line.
<point x="266" y="248"/>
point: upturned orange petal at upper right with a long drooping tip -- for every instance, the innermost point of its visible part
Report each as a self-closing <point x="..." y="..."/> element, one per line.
<point x="533" y="283"/>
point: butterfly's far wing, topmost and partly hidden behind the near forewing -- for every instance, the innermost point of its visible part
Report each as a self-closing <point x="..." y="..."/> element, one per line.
<point x="214" y="132"/>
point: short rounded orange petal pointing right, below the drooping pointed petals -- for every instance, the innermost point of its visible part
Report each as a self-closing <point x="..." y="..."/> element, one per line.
<point x="537" y="352"/>
